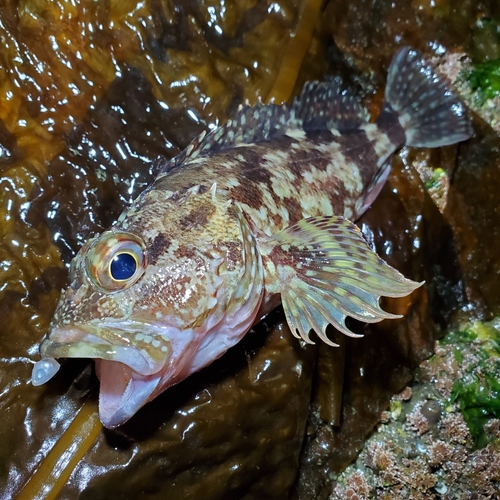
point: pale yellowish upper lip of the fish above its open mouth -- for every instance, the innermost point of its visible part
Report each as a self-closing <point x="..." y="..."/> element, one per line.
<point x="82" y="342"/>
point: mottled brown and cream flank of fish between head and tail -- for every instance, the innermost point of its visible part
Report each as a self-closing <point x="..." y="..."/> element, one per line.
<point x="298" y="176"/>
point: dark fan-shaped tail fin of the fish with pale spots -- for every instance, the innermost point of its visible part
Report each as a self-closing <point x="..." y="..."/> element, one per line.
<point x="430" y="114"/>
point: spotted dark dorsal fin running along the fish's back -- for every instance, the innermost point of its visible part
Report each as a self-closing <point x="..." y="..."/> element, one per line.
<point x="321" y="106"/>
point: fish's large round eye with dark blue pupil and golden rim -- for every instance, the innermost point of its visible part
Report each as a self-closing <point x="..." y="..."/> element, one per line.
<point x="115" y="261"/>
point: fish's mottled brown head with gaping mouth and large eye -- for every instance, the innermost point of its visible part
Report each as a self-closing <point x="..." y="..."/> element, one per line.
<point x="159" y="296"/>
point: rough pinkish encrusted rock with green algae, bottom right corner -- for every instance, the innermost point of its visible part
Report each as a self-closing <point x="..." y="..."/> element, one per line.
<point x="422" y="457"/>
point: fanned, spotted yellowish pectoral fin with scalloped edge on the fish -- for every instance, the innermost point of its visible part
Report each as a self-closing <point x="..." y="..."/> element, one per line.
<point x="325" y="271"/>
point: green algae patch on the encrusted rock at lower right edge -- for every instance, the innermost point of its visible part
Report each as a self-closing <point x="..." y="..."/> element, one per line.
<point x="477" y="391"/>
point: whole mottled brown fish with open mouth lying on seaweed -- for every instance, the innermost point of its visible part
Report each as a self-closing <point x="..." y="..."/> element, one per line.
<point x="258" y="212"/>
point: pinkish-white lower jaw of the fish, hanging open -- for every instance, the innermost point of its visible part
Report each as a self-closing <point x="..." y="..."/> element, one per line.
<point x="122" y="392"/>
